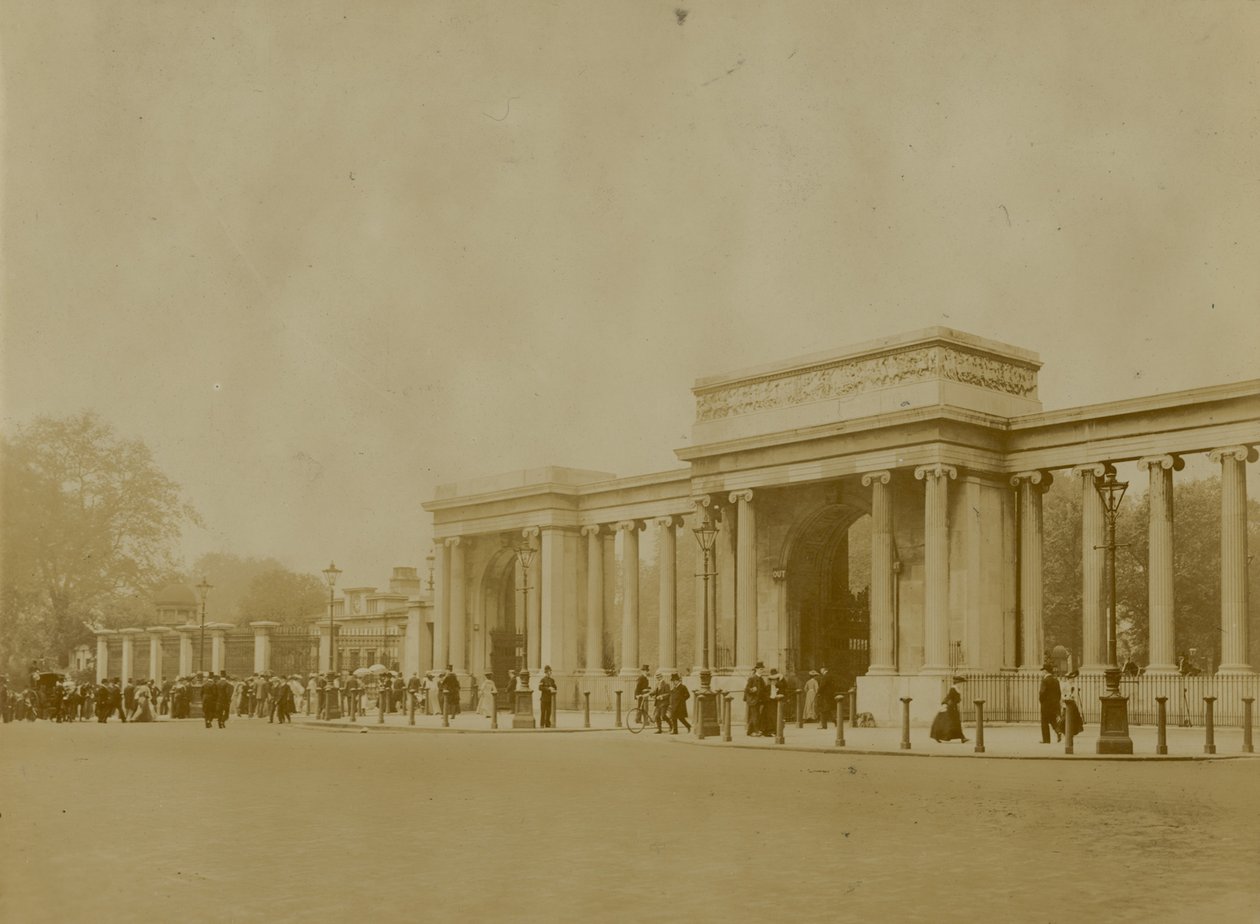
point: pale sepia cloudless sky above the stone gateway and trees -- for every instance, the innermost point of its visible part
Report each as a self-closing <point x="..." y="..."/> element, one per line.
<point x="326" y="257"/>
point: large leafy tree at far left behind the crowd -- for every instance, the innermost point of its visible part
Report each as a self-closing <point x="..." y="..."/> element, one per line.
<point x="90" y="529"/>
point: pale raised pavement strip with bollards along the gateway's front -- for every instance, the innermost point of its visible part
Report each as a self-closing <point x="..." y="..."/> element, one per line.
<point x="1001" y="741"/>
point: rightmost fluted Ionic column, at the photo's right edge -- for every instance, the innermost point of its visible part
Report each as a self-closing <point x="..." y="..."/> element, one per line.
<point x="1234" y="558"/>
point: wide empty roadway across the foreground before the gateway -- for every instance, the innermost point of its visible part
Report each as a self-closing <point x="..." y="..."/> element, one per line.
<point x="172" y="821"/>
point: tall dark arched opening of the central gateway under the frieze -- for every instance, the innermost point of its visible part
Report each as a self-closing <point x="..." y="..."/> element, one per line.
<point x="828" y="574"/>
